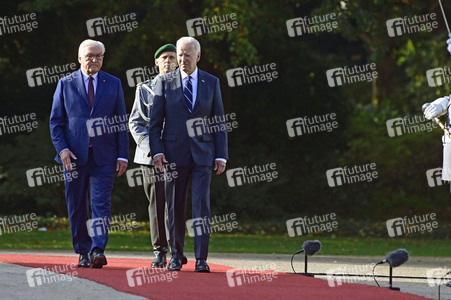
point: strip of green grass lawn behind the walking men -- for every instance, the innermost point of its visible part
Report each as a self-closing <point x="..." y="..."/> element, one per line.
<point x="237" y="243"/>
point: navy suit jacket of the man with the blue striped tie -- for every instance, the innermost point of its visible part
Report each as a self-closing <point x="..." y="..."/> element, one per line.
<point x="169" y="107"/>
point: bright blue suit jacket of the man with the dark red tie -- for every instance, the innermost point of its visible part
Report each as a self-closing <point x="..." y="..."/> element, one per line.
<point x="71" y="116"/>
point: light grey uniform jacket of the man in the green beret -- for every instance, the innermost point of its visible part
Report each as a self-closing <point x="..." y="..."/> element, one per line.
<point x="139" y="121"/>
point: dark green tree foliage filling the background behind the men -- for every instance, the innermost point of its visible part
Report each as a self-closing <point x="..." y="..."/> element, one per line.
<point x="262" y="109"/>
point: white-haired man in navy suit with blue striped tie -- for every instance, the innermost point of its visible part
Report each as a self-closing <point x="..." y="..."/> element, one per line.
<point x="184" y="99"/>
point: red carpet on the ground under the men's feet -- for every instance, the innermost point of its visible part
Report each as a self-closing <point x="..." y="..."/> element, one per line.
<point x="190" y="285"/>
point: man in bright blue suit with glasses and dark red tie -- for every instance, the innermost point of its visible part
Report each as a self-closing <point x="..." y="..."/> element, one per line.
<point x="88" y="127"/>
